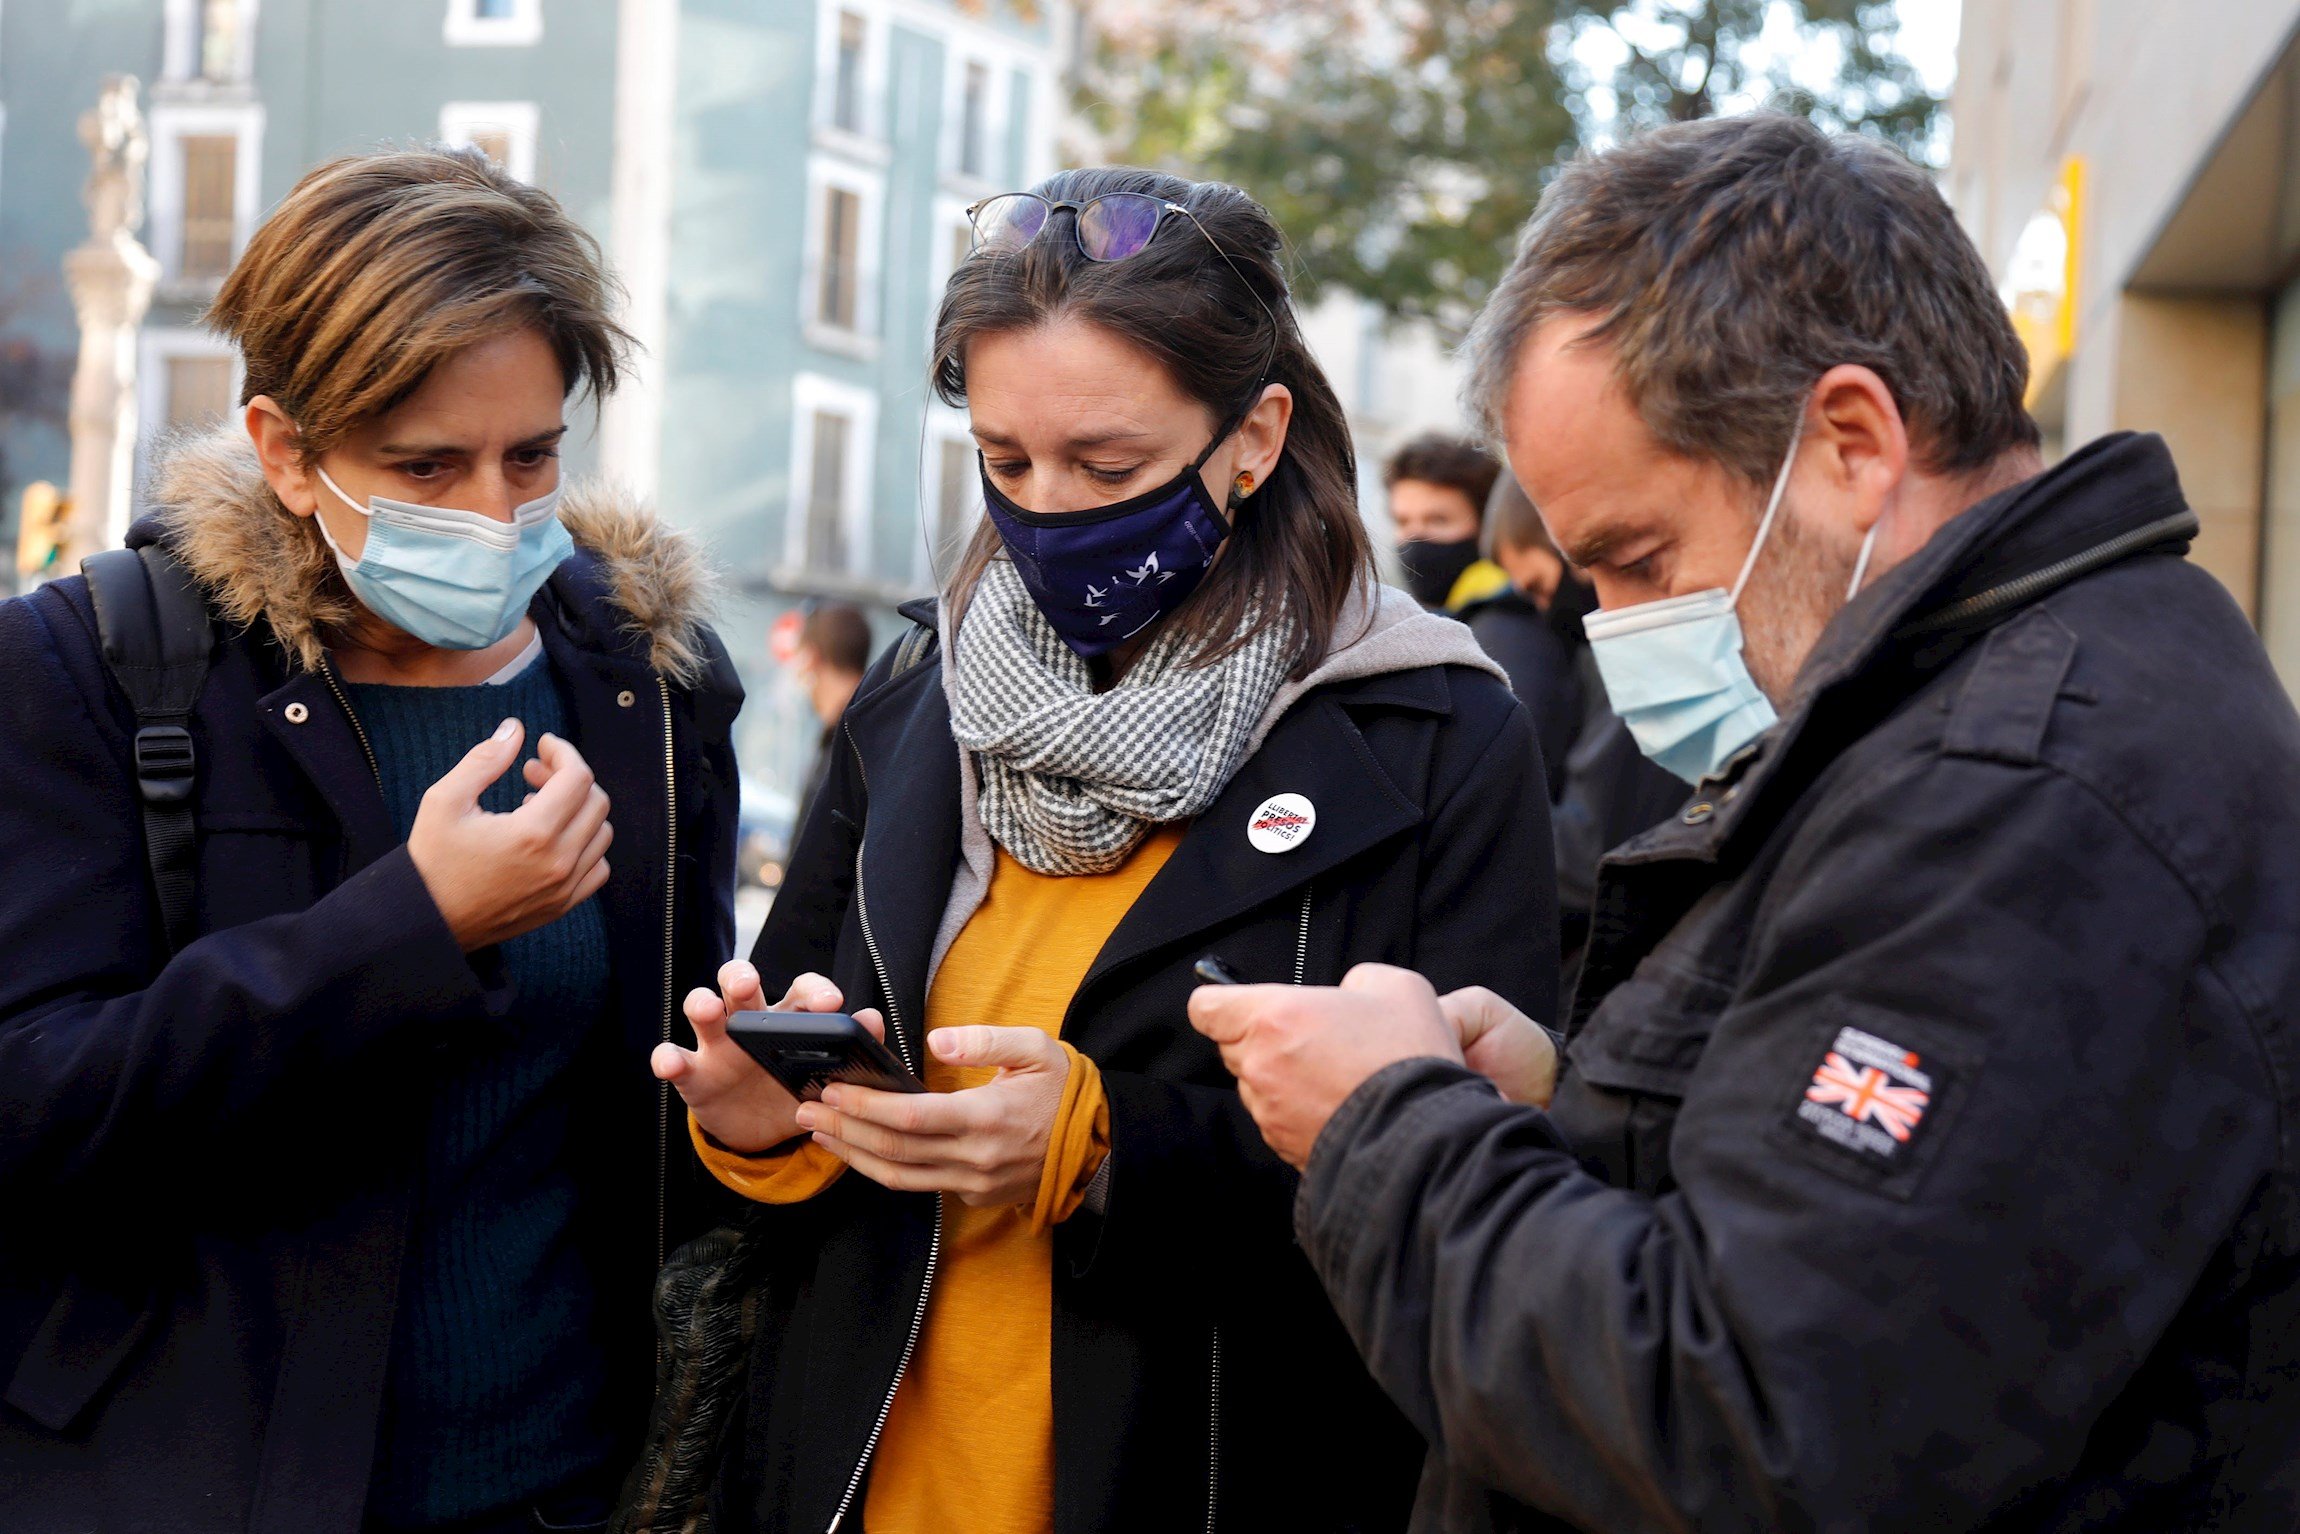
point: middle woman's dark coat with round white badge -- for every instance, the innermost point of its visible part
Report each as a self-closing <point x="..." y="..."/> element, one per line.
<point x="1193" y="1353"/>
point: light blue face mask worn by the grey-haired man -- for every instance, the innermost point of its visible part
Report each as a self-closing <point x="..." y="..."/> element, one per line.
<point x="1676" y="673"/>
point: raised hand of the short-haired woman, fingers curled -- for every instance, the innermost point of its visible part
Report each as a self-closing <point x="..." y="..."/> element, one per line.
<point x="503" y="875"/>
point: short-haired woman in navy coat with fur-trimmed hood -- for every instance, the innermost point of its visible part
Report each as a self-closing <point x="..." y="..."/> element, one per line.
<point x="335" y="1206"/>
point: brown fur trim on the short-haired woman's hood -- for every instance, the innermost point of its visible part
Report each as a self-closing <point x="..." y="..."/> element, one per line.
<point x="263" y="565"/>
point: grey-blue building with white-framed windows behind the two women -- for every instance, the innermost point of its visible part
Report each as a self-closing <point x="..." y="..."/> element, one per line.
<point x="781" y="185"/>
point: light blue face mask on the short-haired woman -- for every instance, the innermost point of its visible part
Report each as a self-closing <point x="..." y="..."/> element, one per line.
<point x="452" y="578"/>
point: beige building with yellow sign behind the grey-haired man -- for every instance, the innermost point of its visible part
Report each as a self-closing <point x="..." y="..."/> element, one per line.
<point x="2133" y="176"/>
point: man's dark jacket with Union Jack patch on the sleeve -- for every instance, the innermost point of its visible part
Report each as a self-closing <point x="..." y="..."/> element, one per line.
<point x="1926" y="1146"/>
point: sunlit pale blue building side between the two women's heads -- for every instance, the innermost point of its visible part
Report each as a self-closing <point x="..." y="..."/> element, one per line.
<point x="827" y="155"/>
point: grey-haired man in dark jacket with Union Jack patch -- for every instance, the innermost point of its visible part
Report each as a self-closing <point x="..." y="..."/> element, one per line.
<point x="1919" y="1151"/>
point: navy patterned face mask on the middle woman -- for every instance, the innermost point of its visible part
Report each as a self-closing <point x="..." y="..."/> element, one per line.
<point x="1105" y="576"/>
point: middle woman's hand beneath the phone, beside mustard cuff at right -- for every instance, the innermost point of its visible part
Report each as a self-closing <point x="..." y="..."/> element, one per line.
<point x="983" y="1144"/>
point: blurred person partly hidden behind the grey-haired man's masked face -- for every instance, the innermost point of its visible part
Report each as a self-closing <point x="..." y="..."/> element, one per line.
<point x="1602" y="788"/>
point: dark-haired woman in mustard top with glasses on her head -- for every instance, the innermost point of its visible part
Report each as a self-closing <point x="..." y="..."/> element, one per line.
<point x="1160" y="714"/>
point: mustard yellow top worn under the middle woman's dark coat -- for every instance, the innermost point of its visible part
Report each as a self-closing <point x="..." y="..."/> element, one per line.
<point x="969" y="1443"/>
